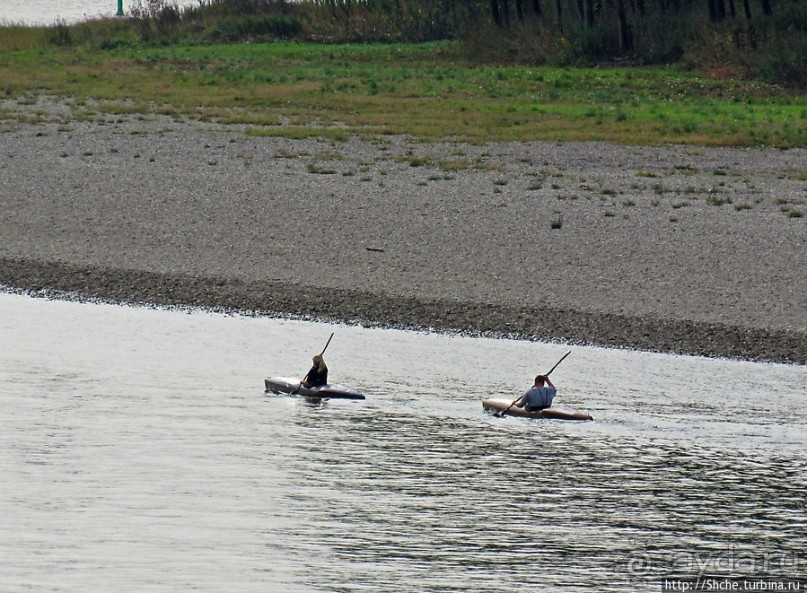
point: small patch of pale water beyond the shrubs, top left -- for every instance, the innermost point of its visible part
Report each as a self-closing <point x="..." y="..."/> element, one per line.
<point x="47" y="12"/>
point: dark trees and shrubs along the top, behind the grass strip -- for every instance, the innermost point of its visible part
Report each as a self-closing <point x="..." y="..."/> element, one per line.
<point x="752" y="38"/>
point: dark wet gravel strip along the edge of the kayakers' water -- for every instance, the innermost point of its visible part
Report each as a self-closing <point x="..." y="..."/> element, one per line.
<point x="67" y="282"/>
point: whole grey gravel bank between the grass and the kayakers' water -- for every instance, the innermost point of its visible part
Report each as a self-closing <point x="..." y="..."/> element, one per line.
<point x="676" y="249"/>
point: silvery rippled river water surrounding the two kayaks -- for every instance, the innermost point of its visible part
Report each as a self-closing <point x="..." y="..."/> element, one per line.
<point x="138" y="452"/>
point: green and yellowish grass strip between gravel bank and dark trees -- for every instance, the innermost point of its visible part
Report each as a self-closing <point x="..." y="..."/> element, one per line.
<point x="425" y="90"/>
